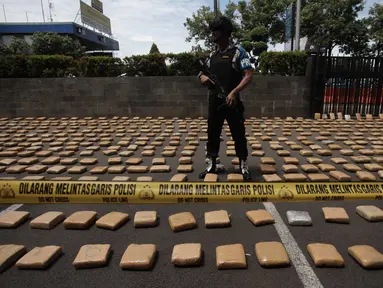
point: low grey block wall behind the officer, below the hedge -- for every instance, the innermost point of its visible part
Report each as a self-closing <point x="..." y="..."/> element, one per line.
<point x="145" y="96"/>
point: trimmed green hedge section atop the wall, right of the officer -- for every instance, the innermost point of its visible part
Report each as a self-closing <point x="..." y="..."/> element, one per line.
<point x="283" y="63"/>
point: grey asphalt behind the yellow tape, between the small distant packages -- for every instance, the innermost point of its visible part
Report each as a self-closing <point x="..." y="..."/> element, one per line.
<point x="368" y="130"/>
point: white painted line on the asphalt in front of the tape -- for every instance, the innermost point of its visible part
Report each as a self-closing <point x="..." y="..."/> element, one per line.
<point x="305" y="273"/>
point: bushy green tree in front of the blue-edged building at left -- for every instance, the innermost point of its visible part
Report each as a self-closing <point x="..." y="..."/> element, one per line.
<point x="53" y="44"/>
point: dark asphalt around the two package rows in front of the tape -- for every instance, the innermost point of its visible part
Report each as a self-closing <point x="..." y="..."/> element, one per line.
<point x="164" y="274"/>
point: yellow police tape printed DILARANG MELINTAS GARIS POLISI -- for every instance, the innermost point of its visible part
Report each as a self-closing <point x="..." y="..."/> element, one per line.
<point x="184" y="192"/>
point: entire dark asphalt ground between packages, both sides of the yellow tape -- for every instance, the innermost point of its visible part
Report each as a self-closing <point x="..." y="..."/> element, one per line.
<point x="164" y="274"/>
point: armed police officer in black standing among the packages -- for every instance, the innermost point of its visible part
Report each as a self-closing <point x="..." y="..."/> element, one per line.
<point x="231" y="66"/>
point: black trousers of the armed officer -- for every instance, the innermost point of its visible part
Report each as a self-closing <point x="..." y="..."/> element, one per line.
<point x="218" y="112"/>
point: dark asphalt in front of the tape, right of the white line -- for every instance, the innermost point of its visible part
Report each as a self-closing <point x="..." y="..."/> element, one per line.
<point x="342" y="236"/>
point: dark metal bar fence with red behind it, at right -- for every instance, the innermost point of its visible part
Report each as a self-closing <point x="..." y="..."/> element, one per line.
<point x="352" y="85"/>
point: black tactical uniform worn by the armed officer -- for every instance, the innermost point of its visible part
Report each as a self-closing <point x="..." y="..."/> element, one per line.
<point x="227" y="66"/>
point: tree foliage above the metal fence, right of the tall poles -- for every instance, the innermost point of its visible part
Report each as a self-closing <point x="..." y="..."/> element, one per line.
<point x="333" y="23"/>
